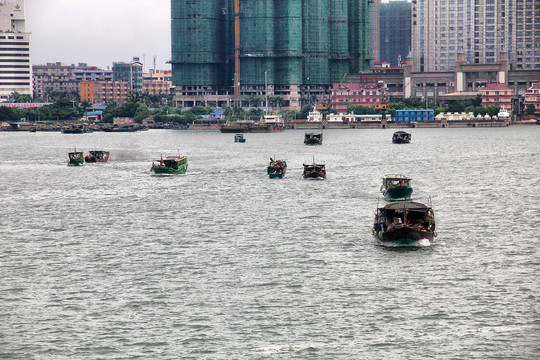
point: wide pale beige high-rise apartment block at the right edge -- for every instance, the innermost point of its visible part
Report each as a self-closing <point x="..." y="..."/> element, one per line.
<point x="480" y="29"/>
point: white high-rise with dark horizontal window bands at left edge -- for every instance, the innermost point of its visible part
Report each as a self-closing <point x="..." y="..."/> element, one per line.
<point x="15" y="59"/>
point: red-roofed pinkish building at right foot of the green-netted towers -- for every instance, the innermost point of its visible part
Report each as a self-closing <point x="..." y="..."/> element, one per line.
<point x="365" y="94"/>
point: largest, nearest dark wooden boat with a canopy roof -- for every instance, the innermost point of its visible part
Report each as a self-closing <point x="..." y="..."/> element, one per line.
<point x="404" y="223"/>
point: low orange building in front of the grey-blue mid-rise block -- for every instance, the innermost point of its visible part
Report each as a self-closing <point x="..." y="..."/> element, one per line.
<point x="104" y="92"/>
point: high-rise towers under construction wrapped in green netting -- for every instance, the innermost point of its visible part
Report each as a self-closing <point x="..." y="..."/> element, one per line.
<point x="290" y="51"/>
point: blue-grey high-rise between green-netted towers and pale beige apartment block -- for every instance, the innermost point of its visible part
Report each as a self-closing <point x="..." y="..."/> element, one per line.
<point x="394" y="31"/>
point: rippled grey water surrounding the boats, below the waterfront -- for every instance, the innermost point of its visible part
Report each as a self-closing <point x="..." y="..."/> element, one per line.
<point x="107" y="261"/>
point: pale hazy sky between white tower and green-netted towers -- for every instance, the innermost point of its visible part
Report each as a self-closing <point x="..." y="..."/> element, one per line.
<point x="99" y="32"/>
